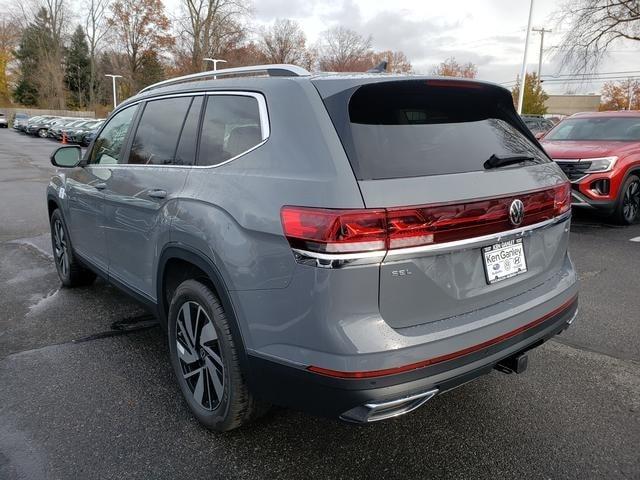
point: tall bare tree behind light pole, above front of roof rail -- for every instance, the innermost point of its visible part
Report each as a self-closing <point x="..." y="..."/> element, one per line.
<point x="210" y="27"/>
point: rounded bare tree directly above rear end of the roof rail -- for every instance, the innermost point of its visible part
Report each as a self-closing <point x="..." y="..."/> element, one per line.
<point x="283" y="42"/>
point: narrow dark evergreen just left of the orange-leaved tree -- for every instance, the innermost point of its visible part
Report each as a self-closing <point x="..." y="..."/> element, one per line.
<point x="78" y="70"/>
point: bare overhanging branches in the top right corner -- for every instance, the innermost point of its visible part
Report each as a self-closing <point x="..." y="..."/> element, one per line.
<point x="592" y="26"/>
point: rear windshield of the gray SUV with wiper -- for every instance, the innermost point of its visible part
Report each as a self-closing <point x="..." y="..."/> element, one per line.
<point x="410" y="129"/>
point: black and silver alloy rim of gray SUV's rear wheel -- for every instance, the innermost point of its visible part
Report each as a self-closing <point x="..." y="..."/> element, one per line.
<point x="199" y="354"/>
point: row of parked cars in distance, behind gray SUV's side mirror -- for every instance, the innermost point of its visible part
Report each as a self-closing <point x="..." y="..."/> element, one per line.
<point x="71" y="129"/>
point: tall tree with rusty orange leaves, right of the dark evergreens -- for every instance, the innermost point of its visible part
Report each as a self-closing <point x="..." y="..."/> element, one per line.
<point x="141" y="30"/>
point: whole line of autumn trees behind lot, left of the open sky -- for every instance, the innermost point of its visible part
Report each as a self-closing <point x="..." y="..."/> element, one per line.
<point x="55" y="53"/>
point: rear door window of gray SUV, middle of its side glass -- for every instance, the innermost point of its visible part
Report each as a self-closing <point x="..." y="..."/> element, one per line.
<point x="157" y="134"/>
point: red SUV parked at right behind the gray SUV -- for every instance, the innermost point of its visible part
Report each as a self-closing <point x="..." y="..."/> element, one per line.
<point x="600" y="153"/>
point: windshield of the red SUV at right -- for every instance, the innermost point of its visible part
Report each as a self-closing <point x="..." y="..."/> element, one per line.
<point x="625" y="129"/>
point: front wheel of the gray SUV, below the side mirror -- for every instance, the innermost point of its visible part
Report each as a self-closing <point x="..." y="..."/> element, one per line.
<point x="71" y="272"/>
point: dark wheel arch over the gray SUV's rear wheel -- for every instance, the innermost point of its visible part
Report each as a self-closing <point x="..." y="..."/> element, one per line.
<point x="187" y="255"/>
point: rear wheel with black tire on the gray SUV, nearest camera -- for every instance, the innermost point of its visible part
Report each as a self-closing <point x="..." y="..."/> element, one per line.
<point x="206" y="362"/>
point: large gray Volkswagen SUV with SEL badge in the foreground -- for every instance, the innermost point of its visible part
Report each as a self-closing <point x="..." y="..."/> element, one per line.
<point x="346" y="244"/>
